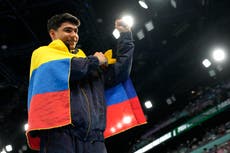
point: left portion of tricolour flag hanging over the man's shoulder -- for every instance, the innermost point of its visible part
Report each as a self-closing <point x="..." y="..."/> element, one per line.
<point x="49" y="93"/>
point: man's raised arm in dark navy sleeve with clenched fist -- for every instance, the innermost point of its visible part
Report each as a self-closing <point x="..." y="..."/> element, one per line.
<point x="120" y="71"/>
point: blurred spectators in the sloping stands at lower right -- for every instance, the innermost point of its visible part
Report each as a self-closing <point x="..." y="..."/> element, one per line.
<point x="202" y="99"/>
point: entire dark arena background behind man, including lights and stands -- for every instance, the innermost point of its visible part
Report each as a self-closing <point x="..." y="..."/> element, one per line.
<point x="181" y="69"/>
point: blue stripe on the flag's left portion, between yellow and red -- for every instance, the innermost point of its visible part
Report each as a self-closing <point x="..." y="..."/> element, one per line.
<point x="46" y="82"/>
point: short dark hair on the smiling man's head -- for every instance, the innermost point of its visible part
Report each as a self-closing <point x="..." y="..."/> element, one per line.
<point x="55" y="21"/>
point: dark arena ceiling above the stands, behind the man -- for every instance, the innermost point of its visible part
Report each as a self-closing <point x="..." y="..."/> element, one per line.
<point x="167" y="66"/>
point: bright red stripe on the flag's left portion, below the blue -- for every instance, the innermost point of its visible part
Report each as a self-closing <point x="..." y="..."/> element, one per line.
<point x="49" y="110"/>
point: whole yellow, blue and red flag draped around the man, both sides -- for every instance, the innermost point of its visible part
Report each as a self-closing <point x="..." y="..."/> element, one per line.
<point x="49" y="95"/>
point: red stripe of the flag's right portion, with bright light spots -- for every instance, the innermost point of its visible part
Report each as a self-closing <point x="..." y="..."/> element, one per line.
<point x="123" y="116"/>
